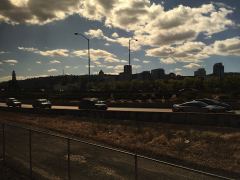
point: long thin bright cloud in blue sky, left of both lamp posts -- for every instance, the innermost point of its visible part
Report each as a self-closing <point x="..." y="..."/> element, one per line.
<point x="50" y="53"/>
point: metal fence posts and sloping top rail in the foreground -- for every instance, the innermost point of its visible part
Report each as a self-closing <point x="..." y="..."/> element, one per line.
<point x="68" y="143"/>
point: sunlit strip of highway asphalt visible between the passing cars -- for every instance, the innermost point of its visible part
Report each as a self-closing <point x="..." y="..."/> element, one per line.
<point x="109" y="108"/>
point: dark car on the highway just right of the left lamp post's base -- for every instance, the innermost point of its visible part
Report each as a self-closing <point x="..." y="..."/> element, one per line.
<point x="92" y="103"/>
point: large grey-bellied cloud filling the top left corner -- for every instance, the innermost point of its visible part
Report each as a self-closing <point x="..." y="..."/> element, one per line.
<point x="36" y="12"/>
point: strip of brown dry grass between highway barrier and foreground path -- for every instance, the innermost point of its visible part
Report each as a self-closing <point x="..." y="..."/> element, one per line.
<point x="206" y="146"/>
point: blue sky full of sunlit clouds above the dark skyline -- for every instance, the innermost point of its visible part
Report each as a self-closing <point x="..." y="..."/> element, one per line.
<point x="37" y="37"/>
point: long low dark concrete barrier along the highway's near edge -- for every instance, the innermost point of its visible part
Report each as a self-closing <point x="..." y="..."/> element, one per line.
<point x="208" y="119"/>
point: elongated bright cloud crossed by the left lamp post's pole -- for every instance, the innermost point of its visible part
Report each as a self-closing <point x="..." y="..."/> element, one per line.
<point x="97" y="54"/>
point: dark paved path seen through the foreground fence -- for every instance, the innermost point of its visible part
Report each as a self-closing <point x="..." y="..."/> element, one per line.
<point x="49" y="160"/>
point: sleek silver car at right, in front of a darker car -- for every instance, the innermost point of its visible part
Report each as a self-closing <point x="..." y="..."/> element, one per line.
<point x="197" y="106"/>
